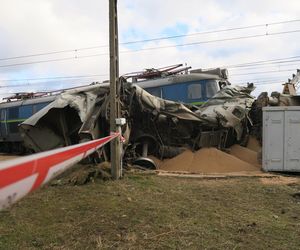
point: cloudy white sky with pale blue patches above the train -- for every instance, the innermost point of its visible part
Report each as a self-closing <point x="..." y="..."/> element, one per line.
<point x="40" y="26"/>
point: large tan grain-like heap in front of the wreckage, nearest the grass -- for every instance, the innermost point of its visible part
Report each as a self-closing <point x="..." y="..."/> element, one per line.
<point x="206" y="160"/>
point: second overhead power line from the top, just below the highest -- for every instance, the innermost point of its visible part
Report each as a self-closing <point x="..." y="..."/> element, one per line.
<point x="152" y="48"/>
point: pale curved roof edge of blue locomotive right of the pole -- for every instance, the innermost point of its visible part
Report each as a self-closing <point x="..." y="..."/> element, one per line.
<point x="169" y="80"/>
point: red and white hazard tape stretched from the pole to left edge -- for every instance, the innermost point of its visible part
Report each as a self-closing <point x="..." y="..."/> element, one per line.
<point x="21" y="176"/>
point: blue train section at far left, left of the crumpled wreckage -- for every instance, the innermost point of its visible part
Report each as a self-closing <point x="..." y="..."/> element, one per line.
<point x="12" y="113"/>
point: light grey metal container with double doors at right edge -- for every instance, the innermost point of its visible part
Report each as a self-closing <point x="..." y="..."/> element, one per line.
<point x="281" y="139"/>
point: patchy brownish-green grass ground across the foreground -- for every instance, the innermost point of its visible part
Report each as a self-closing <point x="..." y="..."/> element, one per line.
<point x="158" y="212"/>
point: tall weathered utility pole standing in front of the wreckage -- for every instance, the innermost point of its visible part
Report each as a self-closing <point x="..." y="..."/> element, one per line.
<point x="114" y="89"/>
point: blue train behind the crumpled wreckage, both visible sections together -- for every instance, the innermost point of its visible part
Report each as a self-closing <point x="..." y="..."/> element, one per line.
<point x="171" y="83"/>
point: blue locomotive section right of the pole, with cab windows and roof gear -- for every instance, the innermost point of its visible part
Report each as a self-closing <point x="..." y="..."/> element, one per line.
<point x="180" y="85"/>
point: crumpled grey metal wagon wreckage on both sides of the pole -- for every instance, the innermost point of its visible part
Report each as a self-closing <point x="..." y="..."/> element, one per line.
<point x="154" y="125"/>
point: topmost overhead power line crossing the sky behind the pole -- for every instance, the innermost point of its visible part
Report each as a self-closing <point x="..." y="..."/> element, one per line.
<point x="151" y="39"/>
